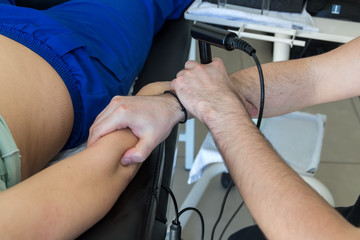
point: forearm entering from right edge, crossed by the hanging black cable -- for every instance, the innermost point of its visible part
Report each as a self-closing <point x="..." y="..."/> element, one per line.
<point x="292" y="85"/>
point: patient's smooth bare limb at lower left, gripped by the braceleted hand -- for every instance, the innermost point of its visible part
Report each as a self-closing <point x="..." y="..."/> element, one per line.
<point x="67" y="198"/>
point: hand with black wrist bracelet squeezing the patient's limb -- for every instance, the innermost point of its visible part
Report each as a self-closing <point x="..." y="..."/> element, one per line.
<point x="151" y="119"/>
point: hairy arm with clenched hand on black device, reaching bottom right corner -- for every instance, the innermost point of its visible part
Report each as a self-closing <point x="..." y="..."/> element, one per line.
<point x="283" y="205"/>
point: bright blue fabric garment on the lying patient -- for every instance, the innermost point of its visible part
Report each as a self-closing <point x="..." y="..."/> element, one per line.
<point x="98" y="47"/>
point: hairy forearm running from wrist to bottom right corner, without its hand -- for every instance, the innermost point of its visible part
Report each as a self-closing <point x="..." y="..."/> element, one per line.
<point x="283" y="205"/>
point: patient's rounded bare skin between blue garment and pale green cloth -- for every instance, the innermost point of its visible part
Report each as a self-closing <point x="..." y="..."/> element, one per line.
<point x="35" y="104"/>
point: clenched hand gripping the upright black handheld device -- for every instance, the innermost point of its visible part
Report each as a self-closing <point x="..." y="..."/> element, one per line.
<point x="207" y="89"/>
